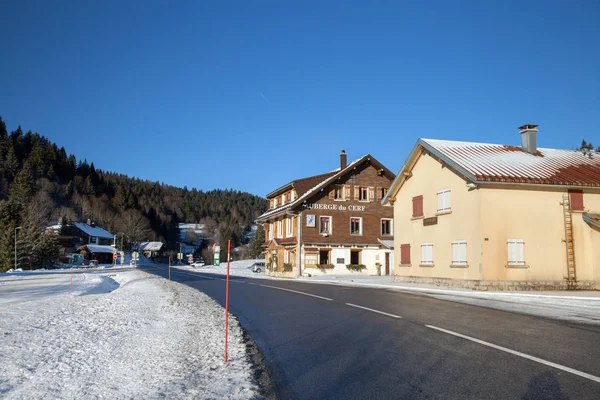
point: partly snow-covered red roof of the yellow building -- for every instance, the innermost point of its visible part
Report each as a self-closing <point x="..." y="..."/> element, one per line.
<point x="502" y="163"/>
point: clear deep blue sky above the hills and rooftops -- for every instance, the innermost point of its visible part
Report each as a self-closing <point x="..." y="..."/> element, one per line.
<point x="252" y="94"/>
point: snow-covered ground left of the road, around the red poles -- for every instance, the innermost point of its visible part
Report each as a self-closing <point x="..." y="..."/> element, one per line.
<point x="121" y="335"/>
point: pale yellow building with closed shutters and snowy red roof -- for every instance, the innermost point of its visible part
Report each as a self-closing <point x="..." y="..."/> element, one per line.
<point x="488" y="216"/>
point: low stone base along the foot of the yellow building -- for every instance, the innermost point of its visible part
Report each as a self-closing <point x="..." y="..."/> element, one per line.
<point x="497" y="285"/>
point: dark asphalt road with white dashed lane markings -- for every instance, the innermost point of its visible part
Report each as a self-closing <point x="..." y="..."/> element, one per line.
<point x="336" y="342"/>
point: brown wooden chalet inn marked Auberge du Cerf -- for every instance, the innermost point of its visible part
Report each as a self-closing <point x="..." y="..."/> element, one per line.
<point x="331" y="223"/>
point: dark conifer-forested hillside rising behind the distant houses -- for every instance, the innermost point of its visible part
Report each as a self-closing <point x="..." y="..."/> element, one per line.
<point x="40" y="183"/>
